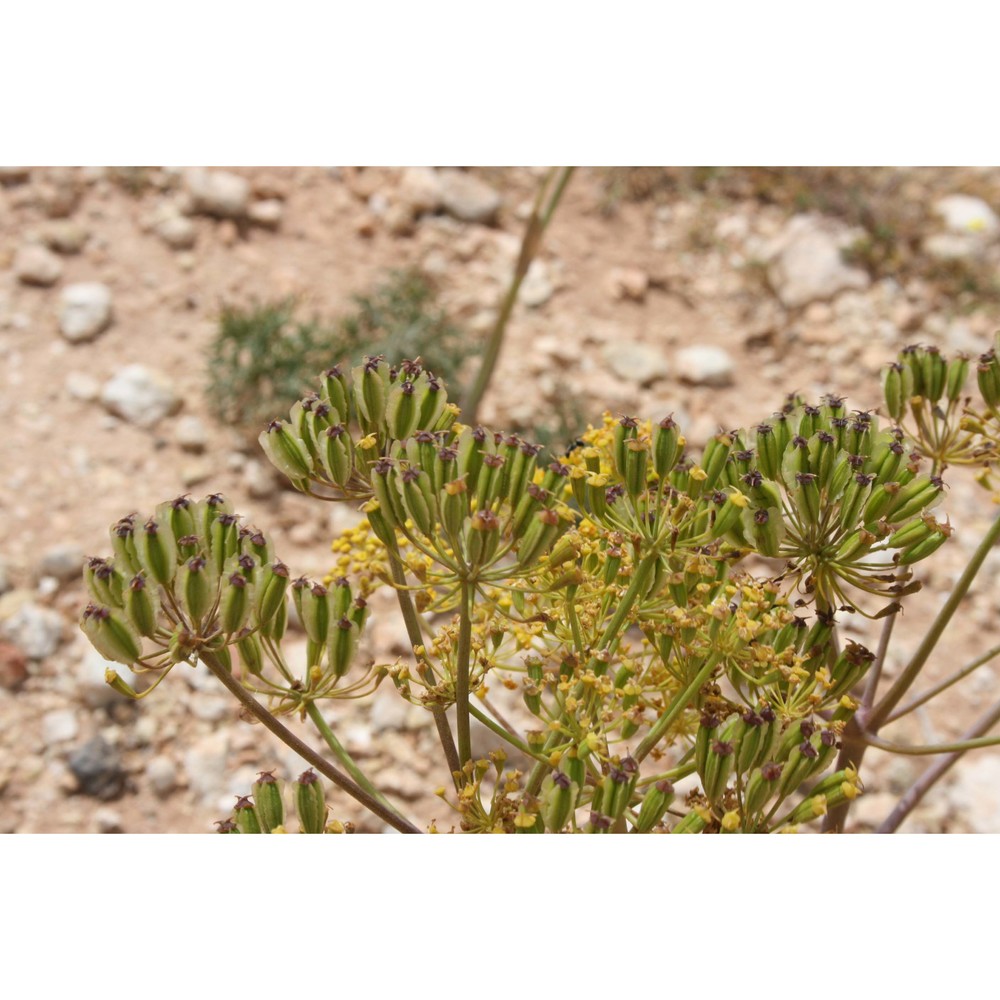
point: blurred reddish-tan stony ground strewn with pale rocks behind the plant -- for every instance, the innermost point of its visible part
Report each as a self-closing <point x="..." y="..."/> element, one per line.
<point x="710" y="302"/>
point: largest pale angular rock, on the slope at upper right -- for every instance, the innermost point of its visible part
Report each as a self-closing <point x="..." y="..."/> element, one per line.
<point x="806" y="262"/>
